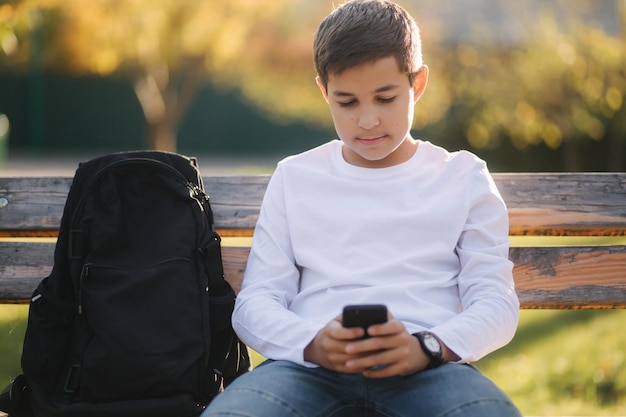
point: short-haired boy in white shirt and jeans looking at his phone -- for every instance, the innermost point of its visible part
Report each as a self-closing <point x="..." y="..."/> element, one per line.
<point x="376" y="217"/>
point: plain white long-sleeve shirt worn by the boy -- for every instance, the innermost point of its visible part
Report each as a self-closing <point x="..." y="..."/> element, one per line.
<point x="428" y="238"/>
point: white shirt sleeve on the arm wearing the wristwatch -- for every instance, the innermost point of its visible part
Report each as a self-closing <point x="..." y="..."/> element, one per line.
<point x="490" y="305"/>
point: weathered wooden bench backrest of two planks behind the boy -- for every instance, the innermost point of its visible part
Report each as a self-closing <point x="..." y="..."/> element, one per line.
<point x="591" y="206"/>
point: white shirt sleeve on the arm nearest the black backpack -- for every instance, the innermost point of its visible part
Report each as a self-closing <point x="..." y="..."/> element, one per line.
<point x="262" y="318"/>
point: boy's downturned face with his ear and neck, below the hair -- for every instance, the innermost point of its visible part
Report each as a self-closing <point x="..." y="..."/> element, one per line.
<point x="372" y="109"/>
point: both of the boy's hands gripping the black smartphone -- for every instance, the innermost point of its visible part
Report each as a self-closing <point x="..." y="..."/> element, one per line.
<point x="390" y="350"/>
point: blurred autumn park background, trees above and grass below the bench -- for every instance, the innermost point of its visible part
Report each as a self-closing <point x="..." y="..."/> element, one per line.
<point x="537" y="85"/>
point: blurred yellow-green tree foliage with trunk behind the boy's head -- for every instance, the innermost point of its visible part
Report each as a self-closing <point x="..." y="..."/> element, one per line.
<point x="525" y="74"/>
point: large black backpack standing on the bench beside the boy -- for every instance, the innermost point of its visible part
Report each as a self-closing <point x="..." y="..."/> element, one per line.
<point x="134" y="319"/>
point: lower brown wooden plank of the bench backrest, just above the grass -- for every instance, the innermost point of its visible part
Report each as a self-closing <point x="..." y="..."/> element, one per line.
<point x="549" y="277"/>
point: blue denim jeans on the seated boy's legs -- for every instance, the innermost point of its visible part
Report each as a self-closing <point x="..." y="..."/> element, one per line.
<point x="285" y="389"/>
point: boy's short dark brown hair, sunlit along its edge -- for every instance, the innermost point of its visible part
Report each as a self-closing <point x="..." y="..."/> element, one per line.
<point x="362" y="31"/>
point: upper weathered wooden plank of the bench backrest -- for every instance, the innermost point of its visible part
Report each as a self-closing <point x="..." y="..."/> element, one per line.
<point x="539" y="204"/>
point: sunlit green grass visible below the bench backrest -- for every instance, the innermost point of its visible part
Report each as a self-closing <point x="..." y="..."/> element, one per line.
<point x="559" y="363"/>
